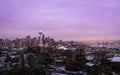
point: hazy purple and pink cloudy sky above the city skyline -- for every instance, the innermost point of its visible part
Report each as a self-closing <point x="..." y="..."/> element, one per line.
<point x="61" y="19"/>
